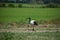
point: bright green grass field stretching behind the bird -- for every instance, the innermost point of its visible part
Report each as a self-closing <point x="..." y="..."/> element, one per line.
<point x="20" y="14"/>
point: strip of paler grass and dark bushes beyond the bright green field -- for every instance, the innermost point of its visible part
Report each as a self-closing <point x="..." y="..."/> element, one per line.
<point x="19" y="5"/>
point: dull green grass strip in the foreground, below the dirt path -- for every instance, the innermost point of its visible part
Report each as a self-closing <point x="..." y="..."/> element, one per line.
<point x="30" y="36"/>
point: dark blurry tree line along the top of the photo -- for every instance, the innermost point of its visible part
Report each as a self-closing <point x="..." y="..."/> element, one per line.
<point x="30" y="1"/>
